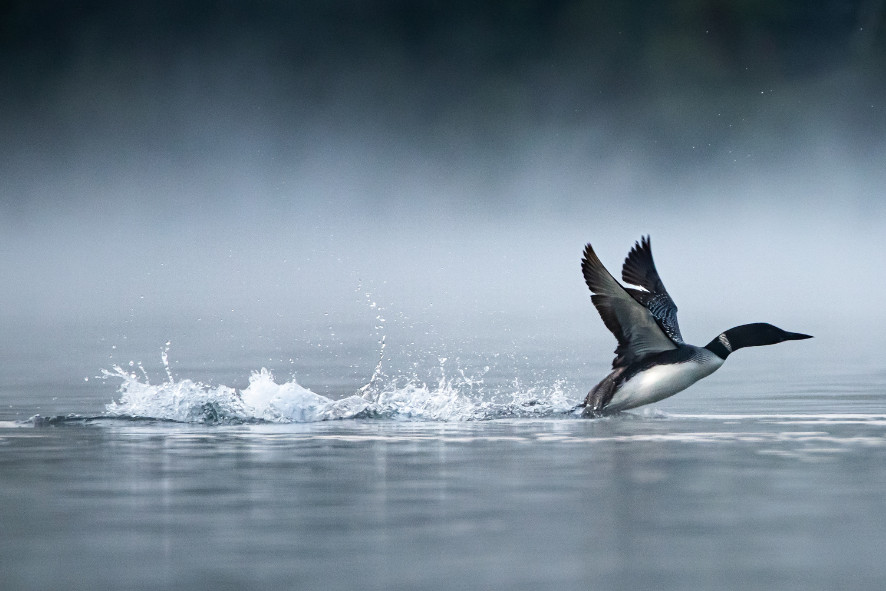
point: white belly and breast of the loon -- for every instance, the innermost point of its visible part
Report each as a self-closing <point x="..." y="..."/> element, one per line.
<point x="661" y="381"/>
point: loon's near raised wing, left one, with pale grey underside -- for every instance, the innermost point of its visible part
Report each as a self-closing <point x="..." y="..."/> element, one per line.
<point x="635" y="328"/>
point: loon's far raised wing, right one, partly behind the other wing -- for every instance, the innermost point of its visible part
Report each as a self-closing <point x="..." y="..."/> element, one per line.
<point x="639" y="269"/>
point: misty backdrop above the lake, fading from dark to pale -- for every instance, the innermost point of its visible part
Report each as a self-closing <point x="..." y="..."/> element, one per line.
<point x="262" y="164"/>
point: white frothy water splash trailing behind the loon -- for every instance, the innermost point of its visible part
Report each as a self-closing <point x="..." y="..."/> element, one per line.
<point x="459" y="397"/>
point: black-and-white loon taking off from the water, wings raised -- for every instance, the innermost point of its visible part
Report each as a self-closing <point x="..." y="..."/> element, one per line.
<point x="651" y="360"/>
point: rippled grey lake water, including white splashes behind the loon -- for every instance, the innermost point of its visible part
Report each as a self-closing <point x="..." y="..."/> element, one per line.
<point x="457" y="467"/>
